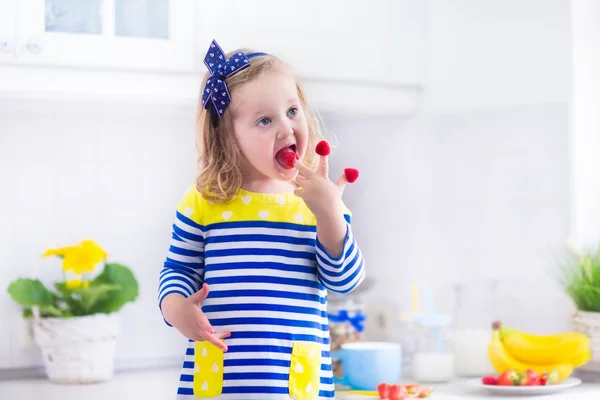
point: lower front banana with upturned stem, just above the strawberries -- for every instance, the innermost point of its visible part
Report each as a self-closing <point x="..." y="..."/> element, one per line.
<point x="502" y="360"/>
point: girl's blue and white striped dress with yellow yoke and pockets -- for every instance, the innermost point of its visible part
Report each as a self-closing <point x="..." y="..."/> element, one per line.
<point x="268" y="276"/>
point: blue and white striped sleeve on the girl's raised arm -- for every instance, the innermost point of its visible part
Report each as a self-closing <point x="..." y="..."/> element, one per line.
<point x="344" y="273"/>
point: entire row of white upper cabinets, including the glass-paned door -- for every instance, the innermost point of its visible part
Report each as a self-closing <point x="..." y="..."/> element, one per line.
<point x="364" y="56"/>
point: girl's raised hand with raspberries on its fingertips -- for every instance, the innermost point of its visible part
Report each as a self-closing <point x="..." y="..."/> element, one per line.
<point x="321" y="195"/>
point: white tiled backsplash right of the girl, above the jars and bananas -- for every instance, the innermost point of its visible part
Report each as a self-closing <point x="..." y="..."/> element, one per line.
<point x="463" y="198"/>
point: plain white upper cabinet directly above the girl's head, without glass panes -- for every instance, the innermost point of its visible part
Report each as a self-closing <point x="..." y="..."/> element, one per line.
<point x="369" y="42"/>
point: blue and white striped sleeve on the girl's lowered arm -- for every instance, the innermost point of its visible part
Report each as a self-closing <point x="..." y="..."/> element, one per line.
<point x="183" y="269"/>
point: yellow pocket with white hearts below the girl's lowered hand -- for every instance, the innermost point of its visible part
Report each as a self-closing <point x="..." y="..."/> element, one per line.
<point x="208" y="370"/>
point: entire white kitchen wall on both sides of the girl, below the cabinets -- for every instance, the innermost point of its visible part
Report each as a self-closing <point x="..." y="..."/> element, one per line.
<point x="474" y="188"/>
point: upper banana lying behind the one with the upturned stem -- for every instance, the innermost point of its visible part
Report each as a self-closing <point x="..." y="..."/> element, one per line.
<point x="548" y="349"/>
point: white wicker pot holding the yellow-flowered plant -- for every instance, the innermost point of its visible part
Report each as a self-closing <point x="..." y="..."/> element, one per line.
<point x="79" y="349"/>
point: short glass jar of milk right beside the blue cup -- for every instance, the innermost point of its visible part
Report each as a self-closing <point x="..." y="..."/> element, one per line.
<point x="433" y="359"/>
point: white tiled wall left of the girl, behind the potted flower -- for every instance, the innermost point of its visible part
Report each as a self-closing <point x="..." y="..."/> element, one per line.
<point x="75" y="171"/>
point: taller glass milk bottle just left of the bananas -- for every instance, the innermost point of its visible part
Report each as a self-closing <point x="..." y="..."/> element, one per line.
<point x="474" y="314"/>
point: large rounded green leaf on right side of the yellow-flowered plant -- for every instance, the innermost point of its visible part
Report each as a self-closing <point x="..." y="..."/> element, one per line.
<point x="116" y="274"/>
